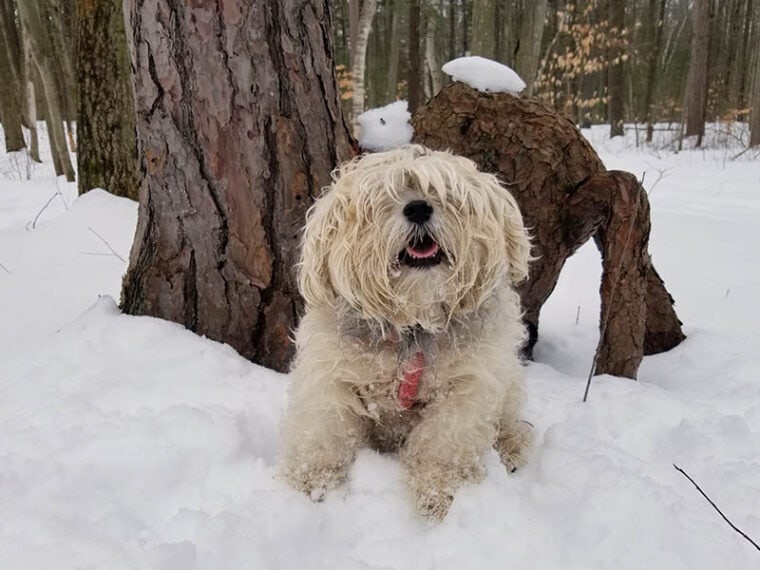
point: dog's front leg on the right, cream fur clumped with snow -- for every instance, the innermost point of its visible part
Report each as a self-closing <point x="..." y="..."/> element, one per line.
<point x="446" y="448"/>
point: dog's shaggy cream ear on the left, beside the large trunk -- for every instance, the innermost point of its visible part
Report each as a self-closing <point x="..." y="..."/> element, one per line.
<point x="322" y="222"/>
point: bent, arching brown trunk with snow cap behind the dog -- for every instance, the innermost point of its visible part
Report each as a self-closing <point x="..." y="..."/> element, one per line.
<point x="566" y="196"/>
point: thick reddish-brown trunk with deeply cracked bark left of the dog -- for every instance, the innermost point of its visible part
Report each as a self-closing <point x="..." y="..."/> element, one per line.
<point x="240" y="125"/>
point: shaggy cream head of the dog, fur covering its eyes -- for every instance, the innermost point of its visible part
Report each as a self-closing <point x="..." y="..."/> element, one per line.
<point x="412" y="237"/>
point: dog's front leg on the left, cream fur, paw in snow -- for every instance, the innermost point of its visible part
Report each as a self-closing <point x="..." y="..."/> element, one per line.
<point x="320" y="437"/>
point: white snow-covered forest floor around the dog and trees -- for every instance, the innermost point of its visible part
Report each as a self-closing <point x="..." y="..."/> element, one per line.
<point x="129" y="442"/>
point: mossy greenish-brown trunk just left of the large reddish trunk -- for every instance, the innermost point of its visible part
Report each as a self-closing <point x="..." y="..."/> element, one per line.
<point x="107" y="152"/>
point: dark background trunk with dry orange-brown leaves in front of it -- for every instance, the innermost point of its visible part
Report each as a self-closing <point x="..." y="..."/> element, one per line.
<point x="616" y="70"/>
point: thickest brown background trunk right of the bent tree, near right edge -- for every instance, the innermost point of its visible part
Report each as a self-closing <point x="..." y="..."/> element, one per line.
<point x="696" y="82"/>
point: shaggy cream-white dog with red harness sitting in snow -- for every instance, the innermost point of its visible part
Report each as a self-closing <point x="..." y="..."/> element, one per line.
<point x="410" y="337"/>
